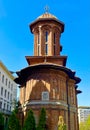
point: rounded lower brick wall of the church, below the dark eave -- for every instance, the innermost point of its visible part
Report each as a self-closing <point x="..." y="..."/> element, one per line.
<point x="55" y="83"/>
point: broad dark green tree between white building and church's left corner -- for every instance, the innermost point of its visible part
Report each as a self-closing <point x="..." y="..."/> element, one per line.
<point x="13" y="123"/>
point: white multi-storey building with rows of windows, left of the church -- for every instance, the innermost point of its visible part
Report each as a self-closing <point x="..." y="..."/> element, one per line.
<point x="8" y="91"/>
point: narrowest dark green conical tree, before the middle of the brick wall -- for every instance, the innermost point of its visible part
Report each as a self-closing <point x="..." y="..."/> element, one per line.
<point x="42" y="120"/>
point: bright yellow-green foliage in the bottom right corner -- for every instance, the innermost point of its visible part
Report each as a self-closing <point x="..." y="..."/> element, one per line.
<point x="85" y="125"/>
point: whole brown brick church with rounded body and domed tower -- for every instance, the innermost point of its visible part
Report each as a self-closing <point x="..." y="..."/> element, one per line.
<point x="47" y="82"/>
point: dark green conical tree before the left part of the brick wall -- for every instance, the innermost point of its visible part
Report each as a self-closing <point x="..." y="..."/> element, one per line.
<point x="29" y="123"/>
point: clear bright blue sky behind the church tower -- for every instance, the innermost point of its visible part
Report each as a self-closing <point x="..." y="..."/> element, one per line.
<point x="16" y="40"/>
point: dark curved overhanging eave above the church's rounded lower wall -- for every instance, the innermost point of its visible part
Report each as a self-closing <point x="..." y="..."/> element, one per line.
<point x="25" y="73"/>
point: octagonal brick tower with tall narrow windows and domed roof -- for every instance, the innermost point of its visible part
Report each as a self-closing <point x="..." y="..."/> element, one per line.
<point x="47" y="30"/>
